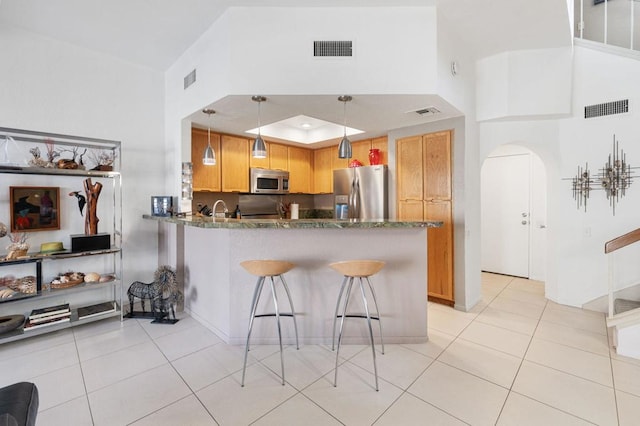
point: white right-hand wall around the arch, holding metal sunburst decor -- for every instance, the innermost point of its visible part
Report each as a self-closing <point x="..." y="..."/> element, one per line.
<point x="577" y="267"/>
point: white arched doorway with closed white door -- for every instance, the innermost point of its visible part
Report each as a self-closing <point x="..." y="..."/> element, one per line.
<point x="513" y="213"/>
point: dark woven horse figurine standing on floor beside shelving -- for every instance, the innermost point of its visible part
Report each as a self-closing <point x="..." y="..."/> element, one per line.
<point x="164" y="283"/>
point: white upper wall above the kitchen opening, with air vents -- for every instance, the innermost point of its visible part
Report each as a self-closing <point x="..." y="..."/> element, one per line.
<point x="269" y="51"/>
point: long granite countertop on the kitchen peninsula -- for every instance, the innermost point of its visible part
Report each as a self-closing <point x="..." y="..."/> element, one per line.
<point x="207" y="222"/>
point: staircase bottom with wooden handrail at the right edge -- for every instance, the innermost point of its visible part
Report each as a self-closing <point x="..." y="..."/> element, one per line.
<point x="624" y="314"/>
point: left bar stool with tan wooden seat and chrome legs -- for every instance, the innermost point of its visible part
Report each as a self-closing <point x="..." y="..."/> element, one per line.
<point x="263" y="269"/>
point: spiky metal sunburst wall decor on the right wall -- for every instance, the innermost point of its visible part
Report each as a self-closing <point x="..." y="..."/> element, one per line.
<point x="614" y="178"/>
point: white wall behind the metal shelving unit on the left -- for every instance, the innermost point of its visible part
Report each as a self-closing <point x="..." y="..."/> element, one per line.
<point x="56" y="87"/>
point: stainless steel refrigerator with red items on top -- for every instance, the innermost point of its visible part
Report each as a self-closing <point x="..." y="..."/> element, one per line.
<point x="361" y="193"/>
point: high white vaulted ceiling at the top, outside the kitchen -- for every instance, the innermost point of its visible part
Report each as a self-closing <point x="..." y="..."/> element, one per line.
<point x="154" y="33"/>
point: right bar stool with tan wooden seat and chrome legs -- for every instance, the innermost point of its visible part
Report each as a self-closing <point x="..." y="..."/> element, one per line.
<point x="360" y="269"/>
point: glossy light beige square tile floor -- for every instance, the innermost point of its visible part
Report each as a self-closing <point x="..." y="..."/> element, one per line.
<point x="517" y="359"/>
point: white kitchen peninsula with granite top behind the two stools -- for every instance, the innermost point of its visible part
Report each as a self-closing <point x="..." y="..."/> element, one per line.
<point x="218" y="290"/>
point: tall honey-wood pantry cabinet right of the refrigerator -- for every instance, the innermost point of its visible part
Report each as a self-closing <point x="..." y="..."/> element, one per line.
<point x="424" y="193"/>
